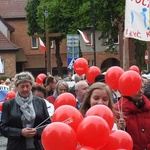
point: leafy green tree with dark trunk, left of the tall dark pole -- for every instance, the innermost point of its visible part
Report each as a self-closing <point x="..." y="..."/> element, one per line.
<point x="62" y="18"/>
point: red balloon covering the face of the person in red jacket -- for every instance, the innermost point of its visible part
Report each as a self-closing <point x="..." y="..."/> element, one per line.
<point x="130" y="83"/>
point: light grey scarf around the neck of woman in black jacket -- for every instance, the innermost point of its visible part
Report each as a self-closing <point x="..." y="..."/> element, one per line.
<point x="26" y="107"/>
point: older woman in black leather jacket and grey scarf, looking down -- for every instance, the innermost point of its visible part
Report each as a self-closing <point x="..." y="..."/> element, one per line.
<point x="22" y="116"/>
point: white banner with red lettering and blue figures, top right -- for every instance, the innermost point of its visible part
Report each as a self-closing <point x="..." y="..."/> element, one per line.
<point x="137" y="20"/>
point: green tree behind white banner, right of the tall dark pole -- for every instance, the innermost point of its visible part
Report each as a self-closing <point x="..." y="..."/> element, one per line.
<point x="109" y="14"/>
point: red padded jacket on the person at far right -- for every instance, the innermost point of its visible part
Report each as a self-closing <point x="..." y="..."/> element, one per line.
<point x="137" y="122"/>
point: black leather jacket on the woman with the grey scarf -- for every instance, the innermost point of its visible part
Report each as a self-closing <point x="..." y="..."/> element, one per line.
<point x="11" y="124"/>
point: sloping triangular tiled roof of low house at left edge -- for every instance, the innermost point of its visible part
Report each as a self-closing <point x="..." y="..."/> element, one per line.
<point x="5" y="44"/>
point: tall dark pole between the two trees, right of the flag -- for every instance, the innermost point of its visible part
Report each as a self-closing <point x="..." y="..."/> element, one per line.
<point x="93" y="29"/>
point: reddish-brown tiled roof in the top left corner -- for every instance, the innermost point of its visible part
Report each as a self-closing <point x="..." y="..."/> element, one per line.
<point x="13" y="8"/>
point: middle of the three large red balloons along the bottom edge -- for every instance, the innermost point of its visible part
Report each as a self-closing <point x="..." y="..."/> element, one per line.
<point x="93" y="131"/>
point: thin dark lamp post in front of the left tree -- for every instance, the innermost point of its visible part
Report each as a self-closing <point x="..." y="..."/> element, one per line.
<point x="45" y="13"/>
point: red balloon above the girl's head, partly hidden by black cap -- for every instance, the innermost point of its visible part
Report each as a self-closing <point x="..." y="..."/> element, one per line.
<point x="92" y="72"/>
